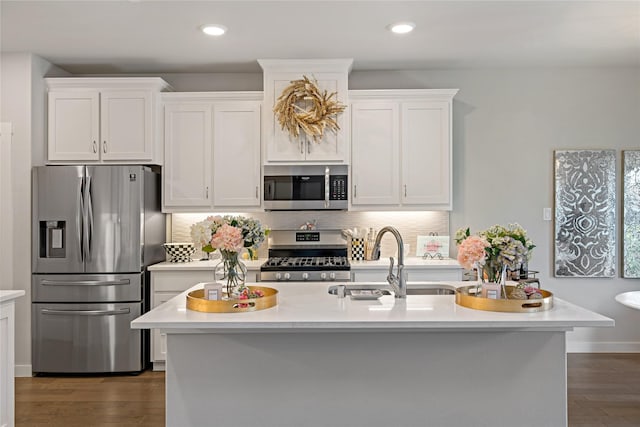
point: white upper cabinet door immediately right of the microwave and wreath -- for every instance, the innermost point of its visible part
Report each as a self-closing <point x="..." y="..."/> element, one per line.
<point x="375" y="146"/>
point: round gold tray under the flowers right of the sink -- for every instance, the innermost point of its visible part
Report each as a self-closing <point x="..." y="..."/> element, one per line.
<point x="465" y="296"/>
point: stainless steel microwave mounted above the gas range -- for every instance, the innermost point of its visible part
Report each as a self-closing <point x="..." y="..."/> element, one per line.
<point x="306" y="191"/>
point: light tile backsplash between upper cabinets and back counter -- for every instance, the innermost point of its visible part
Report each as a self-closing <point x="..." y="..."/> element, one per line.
<point x="409" y="224"/>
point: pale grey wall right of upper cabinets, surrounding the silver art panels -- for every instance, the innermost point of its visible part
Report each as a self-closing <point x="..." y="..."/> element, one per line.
<point x="507" y="123"/>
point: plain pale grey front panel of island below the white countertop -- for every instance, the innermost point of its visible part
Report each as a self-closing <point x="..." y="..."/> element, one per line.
<point x="461" y="378"/>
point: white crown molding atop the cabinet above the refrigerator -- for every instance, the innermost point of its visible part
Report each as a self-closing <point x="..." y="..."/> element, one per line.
<point x="108" y="83"/>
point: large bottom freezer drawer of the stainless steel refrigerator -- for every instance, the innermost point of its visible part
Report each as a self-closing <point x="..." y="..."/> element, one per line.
<point x="86" y="338"/>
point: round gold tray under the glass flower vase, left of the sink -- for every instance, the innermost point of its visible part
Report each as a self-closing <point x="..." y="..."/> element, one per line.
<point x="196" y="302"/>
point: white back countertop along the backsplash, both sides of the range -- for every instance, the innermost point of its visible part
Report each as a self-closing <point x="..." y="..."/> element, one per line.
<point x="409" y="263"/>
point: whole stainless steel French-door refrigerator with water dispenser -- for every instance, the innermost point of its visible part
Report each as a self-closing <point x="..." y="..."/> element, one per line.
<point x="95" y="229"/>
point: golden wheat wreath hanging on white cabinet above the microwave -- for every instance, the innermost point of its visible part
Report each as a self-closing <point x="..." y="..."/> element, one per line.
<point x="302" y="107"/>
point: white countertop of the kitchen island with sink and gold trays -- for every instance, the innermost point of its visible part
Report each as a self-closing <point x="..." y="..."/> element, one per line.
<point x="308" y="306"/>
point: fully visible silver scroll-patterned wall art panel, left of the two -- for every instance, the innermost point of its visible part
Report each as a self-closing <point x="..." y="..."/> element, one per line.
<point x="585" y="222"/>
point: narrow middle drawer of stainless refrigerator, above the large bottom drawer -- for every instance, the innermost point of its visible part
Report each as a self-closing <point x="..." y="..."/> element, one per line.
<point x="87" y="288"/>
